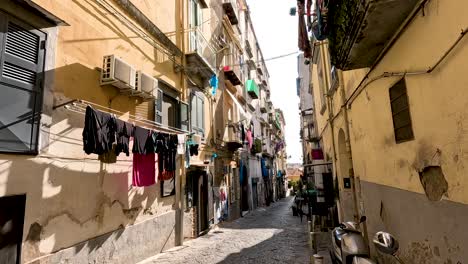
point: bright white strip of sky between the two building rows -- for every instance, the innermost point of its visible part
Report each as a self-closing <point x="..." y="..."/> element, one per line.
<point x="276" y="33"/>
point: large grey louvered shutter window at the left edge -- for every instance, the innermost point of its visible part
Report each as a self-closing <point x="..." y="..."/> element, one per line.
<point x="21" y="73"/>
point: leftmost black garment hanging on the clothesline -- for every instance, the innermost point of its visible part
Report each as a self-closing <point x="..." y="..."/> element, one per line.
<point x="98" y="132"/>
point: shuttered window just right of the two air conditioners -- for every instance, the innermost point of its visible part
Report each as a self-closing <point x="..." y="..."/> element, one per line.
<point x="169" y="110"/>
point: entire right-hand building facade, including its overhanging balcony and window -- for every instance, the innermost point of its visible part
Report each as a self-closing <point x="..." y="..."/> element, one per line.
<point x="391" y="121"/>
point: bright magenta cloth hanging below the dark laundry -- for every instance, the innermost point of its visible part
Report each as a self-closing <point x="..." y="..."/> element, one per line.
<point x="143" y="170"/>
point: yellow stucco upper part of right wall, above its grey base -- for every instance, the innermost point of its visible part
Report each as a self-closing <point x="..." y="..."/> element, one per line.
<point x="437" y="106"/>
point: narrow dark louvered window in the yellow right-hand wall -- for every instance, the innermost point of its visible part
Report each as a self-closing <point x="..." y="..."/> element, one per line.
<point x="400" y="112"/>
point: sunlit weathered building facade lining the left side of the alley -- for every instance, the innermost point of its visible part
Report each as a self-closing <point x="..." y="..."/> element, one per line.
<point x="66" y="206"/>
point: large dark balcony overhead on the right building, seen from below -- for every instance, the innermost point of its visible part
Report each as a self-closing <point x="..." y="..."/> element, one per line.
<point x="359" y="30"/>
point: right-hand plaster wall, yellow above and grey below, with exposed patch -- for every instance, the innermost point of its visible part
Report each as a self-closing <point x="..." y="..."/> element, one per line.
<point x="423" y="208"/>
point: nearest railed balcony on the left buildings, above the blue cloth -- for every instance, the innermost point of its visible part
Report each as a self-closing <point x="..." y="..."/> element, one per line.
<point x="200" y="57"/>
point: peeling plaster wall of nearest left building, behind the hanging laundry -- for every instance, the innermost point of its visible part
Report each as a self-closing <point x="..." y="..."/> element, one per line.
<point x="72" y="197"/>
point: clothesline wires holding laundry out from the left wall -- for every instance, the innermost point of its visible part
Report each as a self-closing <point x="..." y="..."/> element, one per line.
<point x="79" y="106"/>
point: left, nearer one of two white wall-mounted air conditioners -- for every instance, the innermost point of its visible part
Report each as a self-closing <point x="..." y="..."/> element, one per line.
<point x="117" y="73"/>
